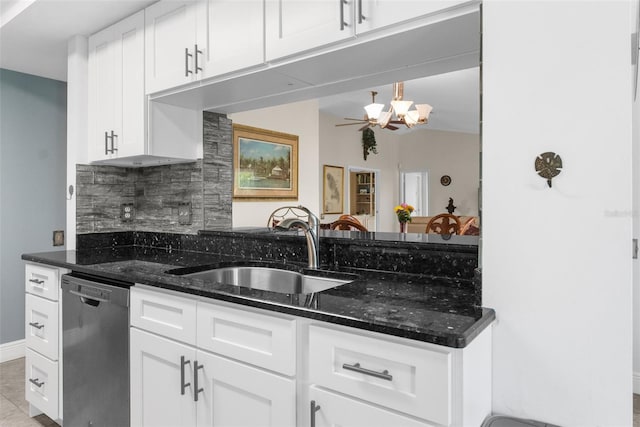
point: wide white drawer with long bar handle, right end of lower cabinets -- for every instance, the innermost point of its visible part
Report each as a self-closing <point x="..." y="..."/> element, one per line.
<point x="409" y="379"/>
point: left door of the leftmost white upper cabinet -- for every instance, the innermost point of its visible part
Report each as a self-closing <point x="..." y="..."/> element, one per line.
<point x="102" y="93"/>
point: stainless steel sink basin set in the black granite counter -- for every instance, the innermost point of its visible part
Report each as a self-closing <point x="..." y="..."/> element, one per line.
<point x="268" y="279"/>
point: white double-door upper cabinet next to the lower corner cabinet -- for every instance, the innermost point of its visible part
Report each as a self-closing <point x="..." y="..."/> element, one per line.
<point x="190" y="40"/>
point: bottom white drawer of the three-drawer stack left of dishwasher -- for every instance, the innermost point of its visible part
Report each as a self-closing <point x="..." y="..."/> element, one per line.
<point x="41" y="386"/>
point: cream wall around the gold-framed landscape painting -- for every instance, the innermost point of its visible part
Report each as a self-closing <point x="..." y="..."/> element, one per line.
<point x="300" y="118"/>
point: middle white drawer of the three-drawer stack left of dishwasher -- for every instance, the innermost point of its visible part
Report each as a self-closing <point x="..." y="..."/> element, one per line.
<point x="41" y="330"/>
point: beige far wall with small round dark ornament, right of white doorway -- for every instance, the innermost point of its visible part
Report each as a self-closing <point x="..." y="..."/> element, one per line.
<point x="440" y="153"/>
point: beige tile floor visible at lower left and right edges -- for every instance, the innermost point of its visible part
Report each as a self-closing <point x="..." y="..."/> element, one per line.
<point x="14" y="410"/>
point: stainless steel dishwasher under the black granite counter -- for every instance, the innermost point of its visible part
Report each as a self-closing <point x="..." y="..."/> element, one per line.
<point x="95" y="352"/>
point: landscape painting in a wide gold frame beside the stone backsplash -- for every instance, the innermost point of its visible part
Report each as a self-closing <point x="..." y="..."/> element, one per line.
<point x="265" y="164"/>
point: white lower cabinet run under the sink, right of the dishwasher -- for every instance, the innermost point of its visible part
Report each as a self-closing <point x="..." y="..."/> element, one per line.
<point x="310" y="374"/>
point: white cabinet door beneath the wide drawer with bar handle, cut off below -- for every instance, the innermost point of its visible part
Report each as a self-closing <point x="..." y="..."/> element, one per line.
<point x="338" y="410"/>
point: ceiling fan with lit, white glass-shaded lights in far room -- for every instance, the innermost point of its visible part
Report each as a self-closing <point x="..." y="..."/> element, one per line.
<point x="374" y="115"/>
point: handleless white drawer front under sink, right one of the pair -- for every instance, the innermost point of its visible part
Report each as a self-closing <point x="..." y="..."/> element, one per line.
<point x="263" y="340"/>
